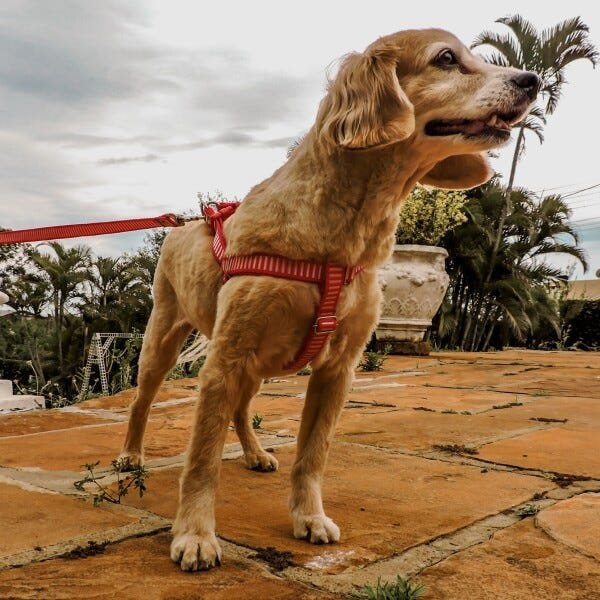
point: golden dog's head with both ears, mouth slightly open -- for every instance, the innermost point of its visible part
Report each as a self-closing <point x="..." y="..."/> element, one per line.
<point x="427" y="87"/>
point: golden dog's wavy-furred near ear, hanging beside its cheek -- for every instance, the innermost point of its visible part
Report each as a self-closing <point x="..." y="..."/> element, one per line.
<point x="365" y="105"/>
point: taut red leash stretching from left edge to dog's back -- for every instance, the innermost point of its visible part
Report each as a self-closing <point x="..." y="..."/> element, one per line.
<point x="86" y="229"/>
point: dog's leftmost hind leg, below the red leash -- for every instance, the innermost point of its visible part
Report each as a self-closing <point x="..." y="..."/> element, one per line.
<point x="165" y="334"/>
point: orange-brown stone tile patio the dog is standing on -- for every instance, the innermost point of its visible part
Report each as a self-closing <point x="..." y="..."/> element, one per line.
<point x="433" y="463"/>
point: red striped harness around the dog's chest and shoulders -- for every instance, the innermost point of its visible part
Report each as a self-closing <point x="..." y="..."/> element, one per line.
<point x="329" y="276"/>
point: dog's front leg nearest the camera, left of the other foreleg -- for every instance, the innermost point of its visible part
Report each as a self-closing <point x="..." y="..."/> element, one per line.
<point x="195" y="545"/>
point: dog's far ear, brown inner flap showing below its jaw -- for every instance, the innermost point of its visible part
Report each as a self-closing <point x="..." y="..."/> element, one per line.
<point x="460" y="172"/>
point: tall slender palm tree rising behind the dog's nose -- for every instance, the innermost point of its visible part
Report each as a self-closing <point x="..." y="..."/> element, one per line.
<point x="547" y="53"/>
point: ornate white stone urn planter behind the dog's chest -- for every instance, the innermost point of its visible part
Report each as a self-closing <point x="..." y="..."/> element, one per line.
<point x="413" y="282"/>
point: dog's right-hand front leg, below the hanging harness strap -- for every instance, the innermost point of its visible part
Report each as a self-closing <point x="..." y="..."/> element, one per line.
<point x="325" y="398"/>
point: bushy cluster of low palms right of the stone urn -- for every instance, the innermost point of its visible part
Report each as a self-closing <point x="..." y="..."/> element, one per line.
<point x="520" y="301"/>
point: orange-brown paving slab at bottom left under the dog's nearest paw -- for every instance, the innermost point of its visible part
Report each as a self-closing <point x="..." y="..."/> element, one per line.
<point x="140" y="568"/>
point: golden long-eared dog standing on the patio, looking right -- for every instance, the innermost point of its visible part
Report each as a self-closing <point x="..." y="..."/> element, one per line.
<point x="415" y="107"/>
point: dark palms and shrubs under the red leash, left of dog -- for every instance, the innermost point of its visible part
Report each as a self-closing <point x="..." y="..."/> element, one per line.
<point x="63" y="296"/>
